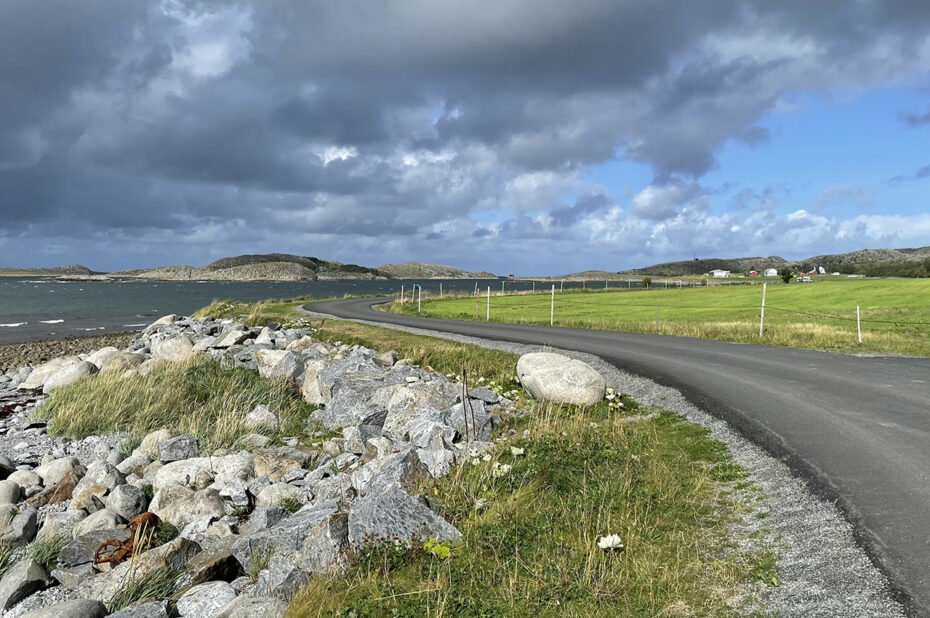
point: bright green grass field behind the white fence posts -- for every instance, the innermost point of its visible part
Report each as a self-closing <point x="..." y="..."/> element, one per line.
<point x="895" y="313"/>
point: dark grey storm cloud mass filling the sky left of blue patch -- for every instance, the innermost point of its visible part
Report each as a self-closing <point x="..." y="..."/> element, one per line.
<point x="398" y="118"/>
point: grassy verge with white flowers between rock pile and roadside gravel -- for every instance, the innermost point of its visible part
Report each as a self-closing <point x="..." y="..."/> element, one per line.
<point x="532" y="514"/>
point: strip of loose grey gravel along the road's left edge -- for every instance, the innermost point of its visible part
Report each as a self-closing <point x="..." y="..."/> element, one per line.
<point x="823" y="571"/>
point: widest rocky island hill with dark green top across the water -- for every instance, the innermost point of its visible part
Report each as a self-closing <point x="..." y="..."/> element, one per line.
<point x="260" y="267"/>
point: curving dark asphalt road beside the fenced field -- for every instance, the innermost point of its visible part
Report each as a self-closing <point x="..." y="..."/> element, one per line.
<point x="858" y="428"/>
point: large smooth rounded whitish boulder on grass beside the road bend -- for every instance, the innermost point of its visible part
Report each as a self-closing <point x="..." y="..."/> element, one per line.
<point x="559" y="379"/>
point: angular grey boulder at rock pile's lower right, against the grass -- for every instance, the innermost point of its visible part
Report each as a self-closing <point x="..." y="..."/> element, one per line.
<point x="394" y="514"/>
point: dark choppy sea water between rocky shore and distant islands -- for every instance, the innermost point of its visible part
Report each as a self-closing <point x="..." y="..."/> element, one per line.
<point x="39" y="309"/>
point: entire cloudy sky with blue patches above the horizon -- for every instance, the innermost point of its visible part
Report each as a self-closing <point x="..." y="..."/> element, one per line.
<point x="515" y="136"/>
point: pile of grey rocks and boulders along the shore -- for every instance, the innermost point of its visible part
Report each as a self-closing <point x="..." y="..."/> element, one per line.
<point x="253" y="525"/>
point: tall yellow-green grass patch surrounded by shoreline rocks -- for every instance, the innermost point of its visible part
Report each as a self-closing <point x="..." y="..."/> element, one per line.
<point x="199" y="397"/>
